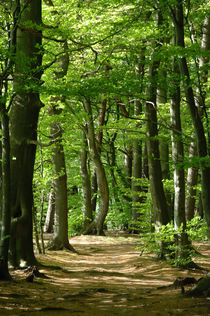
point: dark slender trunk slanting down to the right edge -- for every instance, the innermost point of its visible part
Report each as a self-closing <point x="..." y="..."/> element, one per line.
<point x="195" y="115"/>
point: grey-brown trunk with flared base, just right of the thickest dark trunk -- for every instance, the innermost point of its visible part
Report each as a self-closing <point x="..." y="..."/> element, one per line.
<point x="60" y="235"/>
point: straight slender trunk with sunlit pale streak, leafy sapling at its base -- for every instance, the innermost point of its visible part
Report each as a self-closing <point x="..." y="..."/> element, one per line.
<point x="178" y="166"/>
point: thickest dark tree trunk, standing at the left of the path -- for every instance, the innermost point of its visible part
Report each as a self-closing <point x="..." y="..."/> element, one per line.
<point x="23" y="131"/>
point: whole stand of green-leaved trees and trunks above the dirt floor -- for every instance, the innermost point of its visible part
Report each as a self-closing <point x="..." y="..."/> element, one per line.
<point x="104" y="109"/>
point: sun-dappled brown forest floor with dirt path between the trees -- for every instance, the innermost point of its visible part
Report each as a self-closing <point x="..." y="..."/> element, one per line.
<point x="106" y="277"/>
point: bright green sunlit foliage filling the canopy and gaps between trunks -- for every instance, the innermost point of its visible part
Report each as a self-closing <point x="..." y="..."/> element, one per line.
<point x="103" y="40"/>
